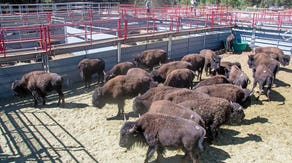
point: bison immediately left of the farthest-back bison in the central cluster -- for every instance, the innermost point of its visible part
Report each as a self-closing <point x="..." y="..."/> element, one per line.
<point x="197" y="62"/>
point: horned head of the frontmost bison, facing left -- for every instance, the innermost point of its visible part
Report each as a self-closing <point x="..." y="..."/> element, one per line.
<point x="128" y="133"/>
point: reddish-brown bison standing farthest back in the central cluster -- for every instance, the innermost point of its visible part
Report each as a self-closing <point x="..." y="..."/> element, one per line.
<point x="212" y="61"/>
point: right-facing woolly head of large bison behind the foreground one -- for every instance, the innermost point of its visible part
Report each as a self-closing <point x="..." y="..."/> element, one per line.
<point x="237" y="114"/>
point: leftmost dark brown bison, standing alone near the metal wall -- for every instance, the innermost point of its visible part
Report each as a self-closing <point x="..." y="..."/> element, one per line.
<point x="39" y="83"/>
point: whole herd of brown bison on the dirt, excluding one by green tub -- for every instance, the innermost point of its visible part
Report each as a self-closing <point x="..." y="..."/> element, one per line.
<point x="173" y="111"/>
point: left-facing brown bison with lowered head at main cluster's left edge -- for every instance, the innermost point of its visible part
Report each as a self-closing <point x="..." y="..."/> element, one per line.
<point x="117" y="89"/>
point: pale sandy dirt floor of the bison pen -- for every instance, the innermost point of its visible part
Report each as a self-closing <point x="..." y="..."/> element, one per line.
<point x="81" y="133"/>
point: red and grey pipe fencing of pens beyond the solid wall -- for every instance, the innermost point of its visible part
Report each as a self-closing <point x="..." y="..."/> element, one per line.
<point x="43" y="26"/>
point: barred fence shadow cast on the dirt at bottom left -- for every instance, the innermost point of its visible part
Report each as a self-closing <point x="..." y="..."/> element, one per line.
<point x="29" y="138"/>
